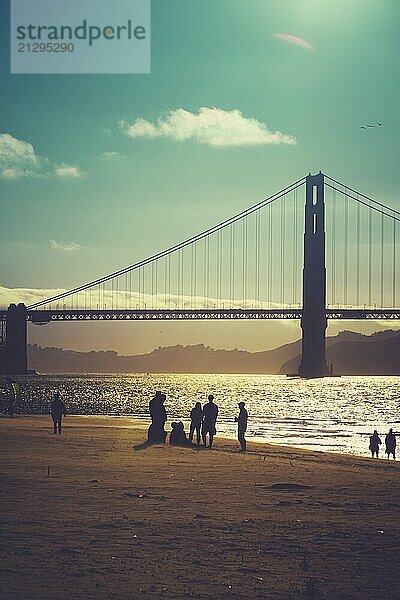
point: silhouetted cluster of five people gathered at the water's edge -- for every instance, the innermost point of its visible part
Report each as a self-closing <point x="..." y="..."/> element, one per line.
<point x="202" y="424"/>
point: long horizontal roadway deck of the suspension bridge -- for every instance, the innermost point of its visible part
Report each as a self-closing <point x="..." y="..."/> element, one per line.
<point x="48" y="316"/>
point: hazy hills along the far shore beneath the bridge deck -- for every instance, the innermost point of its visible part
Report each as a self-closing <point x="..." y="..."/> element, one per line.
<point x="350" y="353"/>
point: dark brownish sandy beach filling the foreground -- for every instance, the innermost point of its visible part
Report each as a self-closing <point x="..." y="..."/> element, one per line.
<point x="84" y="515"/>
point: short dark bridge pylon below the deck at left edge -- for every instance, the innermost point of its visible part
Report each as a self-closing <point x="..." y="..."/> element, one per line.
<point x="16" y="362"/>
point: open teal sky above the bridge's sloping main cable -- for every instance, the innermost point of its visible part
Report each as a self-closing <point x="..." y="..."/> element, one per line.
<point x="208" y="53"/>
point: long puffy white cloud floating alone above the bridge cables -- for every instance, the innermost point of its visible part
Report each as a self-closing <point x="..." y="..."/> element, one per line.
<point x="211" y="126"/>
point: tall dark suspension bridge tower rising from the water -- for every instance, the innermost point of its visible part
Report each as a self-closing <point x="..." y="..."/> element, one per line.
<point x="313" y="322"/>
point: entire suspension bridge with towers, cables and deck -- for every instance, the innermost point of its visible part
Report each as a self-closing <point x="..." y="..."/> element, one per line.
<point x="336" y="257"/>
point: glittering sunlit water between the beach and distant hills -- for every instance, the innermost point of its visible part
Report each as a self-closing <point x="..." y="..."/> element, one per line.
<point x="331" y="414"/>
